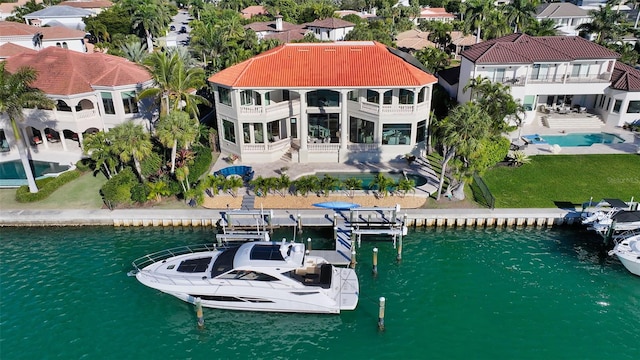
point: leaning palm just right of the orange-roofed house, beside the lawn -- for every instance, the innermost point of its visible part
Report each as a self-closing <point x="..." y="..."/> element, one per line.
<point x="460" y="133"/>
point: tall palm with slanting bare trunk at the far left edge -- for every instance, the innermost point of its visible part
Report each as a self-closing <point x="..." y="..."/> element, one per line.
<point x="16" y="94"/>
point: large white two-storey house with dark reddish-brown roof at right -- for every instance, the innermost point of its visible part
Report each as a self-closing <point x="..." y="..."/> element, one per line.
<point x="550" y="72"/>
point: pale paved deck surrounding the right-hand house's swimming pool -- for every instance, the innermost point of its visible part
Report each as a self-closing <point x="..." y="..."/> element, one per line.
<point x="630" y="146"/>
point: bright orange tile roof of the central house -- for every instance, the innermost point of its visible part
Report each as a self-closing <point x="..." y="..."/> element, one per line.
<point x="340" y="64"/>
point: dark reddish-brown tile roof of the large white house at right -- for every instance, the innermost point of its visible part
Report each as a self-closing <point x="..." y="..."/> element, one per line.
<point x="523" y="49"/>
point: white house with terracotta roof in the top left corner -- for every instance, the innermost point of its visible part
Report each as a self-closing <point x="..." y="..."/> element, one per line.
<point x="24" y="35"/>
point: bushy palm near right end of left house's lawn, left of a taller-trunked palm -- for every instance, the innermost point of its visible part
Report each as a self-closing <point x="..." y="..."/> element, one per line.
<point x="132" y="142"/>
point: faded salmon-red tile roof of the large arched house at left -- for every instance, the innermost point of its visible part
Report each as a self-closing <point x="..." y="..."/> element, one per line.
<point x="66" y="72"/>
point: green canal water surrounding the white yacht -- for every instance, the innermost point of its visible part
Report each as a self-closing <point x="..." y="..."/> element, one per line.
<point x="457" y="294"/>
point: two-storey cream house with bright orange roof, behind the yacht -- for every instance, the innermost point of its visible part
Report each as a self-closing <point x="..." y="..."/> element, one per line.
<point x="324" y="102"/>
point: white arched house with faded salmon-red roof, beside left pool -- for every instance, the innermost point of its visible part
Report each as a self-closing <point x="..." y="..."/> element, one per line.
<point x="92" y="91"/>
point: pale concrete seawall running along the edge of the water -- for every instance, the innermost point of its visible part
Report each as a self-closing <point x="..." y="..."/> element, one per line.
<point x="317" y="218"/>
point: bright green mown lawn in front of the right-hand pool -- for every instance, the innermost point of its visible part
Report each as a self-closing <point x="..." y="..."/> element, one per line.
<point x="559" y="180"/>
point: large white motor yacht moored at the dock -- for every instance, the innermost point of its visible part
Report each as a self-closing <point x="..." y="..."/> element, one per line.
<point x="254" y="276"/>
